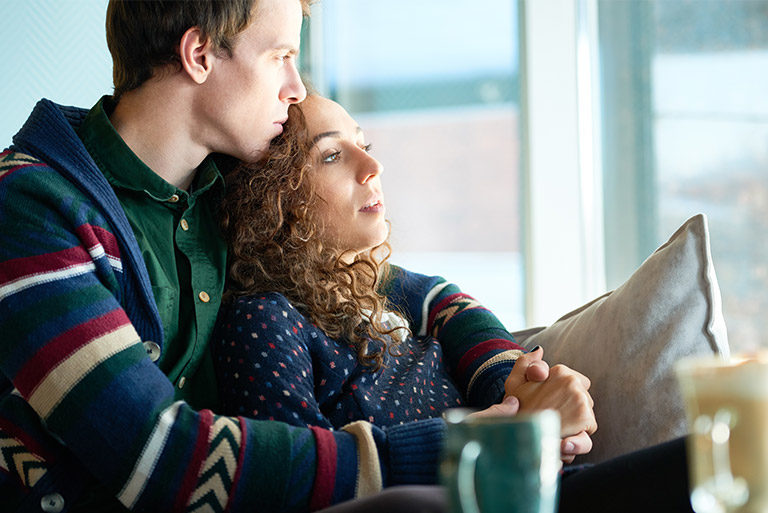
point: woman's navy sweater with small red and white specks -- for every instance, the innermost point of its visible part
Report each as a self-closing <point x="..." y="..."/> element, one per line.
<point x="272" y="363"/>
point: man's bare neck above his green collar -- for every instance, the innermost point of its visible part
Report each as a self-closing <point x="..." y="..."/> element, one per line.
<point x="155" y="123"/>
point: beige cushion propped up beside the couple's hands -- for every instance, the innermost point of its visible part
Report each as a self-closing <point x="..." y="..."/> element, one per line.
<point x="627" y="341"/>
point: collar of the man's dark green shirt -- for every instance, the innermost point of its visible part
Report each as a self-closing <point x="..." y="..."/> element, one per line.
<point x="123" y="168"/>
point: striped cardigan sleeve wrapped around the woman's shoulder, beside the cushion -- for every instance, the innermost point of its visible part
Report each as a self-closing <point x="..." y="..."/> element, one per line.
<point x="479" y="351"/>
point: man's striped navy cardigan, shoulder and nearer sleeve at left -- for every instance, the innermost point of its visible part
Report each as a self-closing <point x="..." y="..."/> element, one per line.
<point x="81" y="403"/>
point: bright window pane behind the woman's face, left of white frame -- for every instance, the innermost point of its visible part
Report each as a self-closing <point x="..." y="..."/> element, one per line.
<point x="434" y="85"/>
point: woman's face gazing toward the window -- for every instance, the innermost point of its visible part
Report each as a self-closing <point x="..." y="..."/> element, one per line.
<point x="347" y="179"/>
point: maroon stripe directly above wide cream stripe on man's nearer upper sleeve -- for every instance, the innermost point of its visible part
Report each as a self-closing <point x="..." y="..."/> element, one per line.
<point x="60" y="348"/>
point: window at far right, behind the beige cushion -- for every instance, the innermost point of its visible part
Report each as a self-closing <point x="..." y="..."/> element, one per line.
<point x="685" y="98"/>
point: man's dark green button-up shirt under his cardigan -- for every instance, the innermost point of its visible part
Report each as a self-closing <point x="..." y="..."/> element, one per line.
<point x="183" y="250"/>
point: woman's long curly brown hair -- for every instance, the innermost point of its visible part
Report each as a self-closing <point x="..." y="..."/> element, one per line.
<point x="270" y="221"/>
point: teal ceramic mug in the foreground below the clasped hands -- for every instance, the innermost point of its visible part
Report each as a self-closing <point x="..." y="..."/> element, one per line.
<point x="502" y="464"/>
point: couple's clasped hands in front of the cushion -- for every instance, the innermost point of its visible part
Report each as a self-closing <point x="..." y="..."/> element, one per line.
<point x="533" y="386"/>
